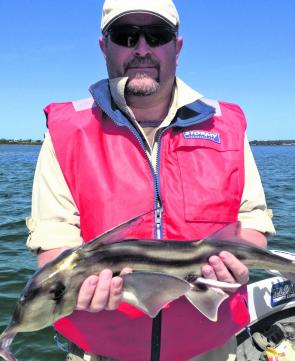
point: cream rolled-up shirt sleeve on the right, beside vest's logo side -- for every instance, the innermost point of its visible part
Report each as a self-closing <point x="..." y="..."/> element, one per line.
<point x="253" y="212"/>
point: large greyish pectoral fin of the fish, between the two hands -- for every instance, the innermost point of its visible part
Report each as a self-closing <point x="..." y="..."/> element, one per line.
<point x="150" y="292"/>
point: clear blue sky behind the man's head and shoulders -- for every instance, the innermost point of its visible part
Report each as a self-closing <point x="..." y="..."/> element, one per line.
<point x="240" y="51"/>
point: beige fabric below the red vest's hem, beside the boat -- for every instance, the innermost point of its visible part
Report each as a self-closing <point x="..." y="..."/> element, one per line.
<point x="227" y="352"/>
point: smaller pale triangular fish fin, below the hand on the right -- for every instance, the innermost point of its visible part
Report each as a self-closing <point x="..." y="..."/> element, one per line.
<point x="207" y="301"/>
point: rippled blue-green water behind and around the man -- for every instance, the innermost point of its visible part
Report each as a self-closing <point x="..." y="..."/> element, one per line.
<point x="17" y="163"/>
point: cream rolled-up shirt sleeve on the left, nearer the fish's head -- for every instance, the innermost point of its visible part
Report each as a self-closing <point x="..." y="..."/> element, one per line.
<point x="55" y="219"/>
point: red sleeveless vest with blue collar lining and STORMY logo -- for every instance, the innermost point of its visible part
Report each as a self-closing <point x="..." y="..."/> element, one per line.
<point x="200" y="179"/>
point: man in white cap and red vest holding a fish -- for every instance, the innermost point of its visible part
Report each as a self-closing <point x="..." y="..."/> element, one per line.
<point x="145" y="139"/>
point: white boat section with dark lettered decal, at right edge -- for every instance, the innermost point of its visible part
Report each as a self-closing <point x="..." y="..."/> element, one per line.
<point x="271" y="332"/>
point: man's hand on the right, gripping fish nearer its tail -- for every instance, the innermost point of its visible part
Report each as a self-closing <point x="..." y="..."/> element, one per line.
<point x="226" y="268"/>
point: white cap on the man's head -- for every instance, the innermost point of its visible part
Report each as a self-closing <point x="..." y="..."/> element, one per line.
<point x="114" y="9"/>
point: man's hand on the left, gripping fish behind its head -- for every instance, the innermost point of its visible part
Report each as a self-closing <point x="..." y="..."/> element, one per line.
<point x="102" y="292"/>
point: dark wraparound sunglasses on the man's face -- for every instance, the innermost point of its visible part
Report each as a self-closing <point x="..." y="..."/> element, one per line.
<point x="128" y="35"/>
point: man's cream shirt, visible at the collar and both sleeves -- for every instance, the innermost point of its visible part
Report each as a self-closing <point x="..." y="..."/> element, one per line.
<point x="54" y="212"/>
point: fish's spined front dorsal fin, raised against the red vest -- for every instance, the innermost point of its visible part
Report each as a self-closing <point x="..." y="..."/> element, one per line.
<point x="117" y="233"/>
